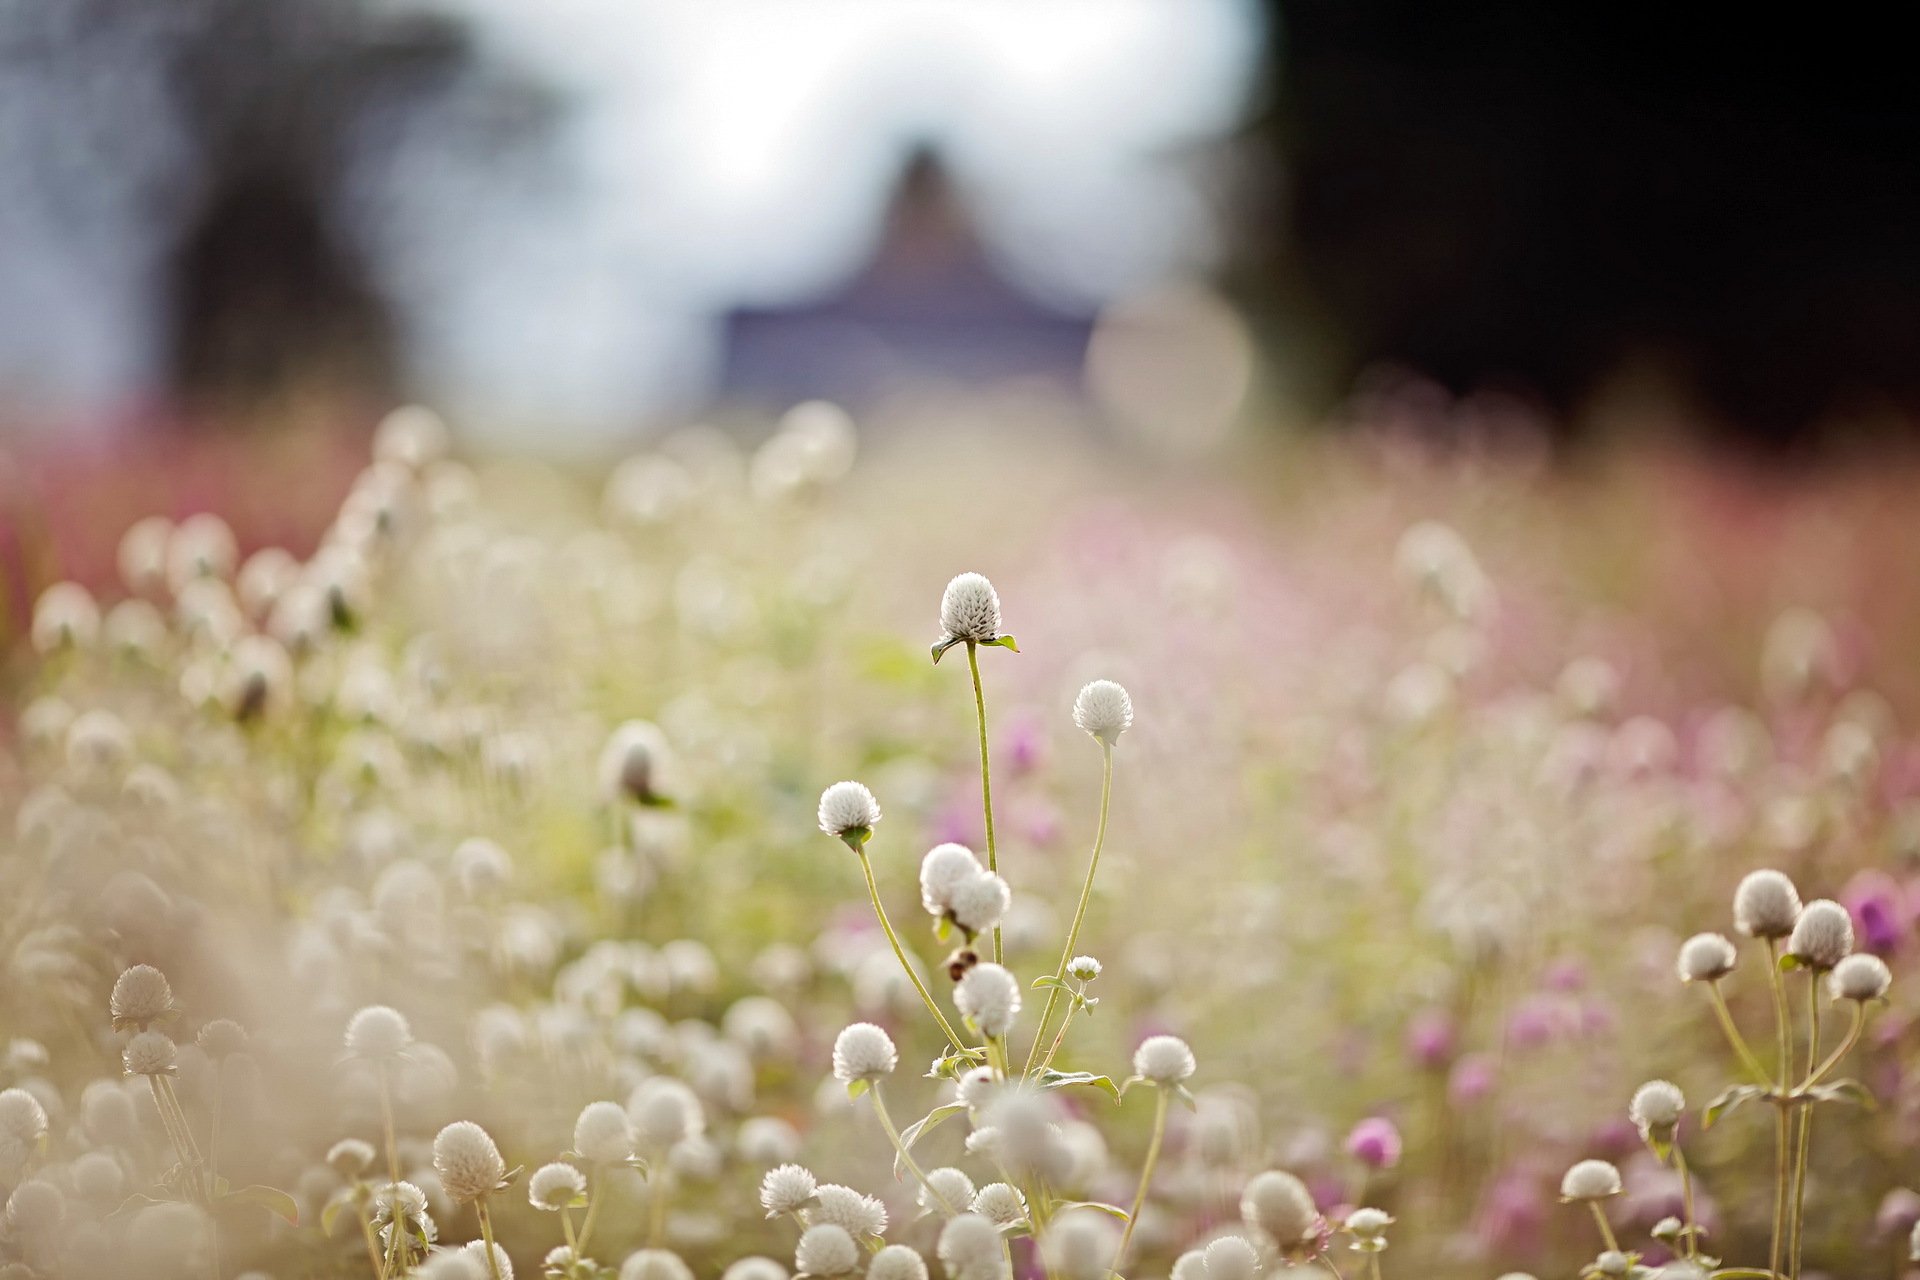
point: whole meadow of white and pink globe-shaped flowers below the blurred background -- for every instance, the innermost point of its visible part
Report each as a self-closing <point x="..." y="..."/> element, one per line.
<point x="688" y="874"/>
